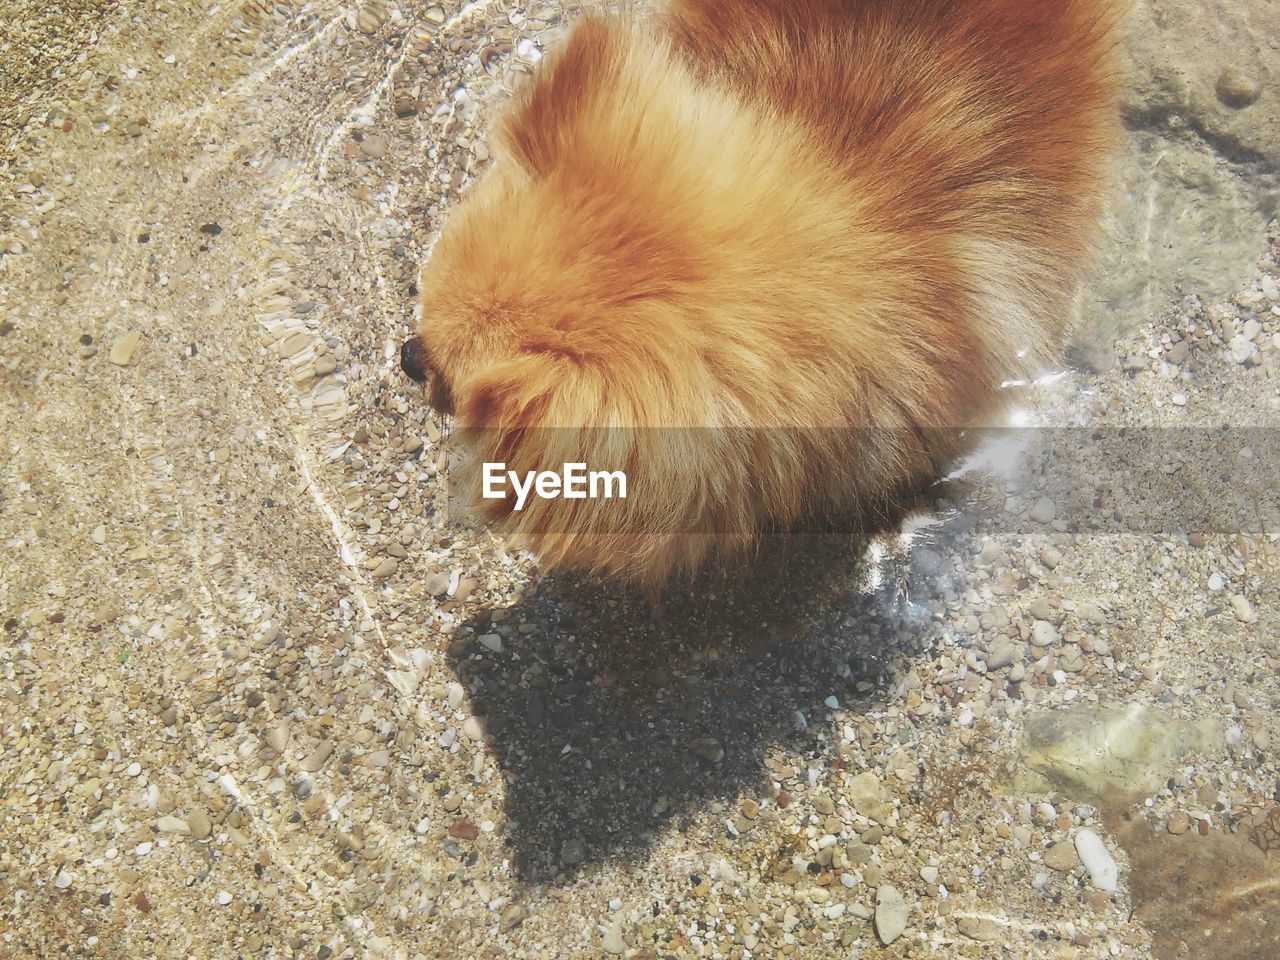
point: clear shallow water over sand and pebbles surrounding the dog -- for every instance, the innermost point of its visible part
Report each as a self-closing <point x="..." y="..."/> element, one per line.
<point x="358" y="730"/>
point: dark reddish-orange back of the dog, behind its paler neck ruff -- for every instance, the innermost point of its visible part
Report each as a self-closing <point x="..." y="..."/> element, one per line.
<point x="982" y="125"/>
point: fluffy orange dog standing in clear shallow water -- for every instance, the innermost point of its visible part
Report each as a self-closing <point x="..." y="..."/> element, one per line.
<point x="765" y="257"/>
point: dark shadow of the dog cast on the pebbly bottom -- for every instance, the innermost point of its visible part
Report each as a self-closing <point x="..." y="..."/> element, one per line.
<point x="610" y="716"/>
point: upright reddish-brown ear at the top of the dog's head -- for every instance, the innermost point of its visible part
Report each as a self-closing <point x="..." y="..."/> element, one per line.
<point x="540" y="127"/>
